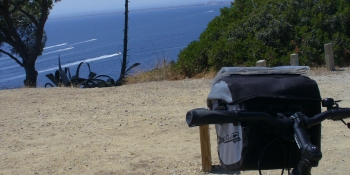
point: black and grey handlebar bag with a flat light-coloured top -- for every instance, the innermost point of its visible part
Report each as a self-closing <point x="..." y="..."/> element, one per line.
<point x="281" y="92"/>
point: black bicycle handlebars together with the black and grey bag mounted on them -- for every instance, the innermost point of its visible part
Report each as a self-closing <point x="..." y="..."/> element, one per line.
<point x="263" y="113"/>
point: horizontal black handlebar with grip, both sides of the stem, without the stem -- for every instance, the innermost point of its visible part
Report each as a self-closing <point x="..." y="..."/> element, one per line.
<point x="201" y="116"/>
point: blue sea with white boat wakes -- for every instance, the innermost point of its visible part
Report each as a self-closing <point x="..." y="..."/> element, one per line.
<point x="154" y="35"/>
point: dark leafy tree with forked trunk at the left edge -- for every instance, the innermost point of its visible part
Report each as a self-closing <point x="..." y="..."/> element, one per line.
<point x="22" y="28"/>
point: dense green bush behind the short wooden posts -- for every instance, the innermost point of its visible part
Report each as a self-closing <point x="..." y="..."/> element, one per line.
<point x="249" y="31"/>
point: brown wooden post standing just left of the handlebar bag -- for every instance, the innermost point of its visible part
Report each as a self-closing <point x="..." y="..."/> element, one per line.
<point x="205" y="148"/>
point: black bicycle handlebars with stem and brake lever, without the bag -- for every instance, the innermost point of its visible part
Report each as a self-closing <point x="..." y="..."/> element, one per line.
<point x="298" y="122"/>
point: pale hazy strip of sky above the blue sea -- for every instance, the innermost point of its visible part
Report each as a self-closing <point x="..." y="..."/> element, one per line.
<point x="78" y="6"/>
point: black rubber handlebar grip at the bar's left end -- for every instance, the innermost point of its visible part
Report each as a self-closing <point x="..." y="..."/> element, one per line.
<point x="202" y="116"/>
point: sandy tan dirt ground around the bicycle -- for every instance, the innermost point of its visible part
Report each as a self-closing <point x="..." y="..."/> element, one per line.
<point x="132" y="129"/>
